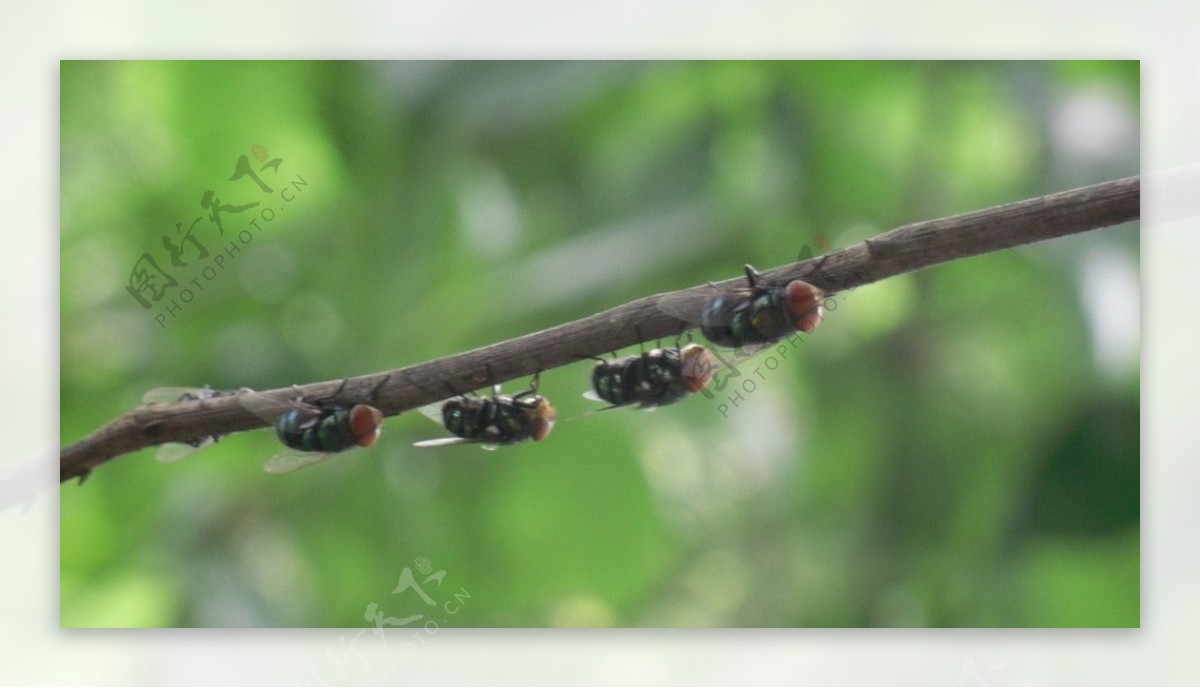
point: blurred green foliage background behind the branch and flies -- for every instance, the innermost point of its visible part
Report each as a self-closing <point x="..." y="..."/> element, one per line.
<point x="957" y="447"/>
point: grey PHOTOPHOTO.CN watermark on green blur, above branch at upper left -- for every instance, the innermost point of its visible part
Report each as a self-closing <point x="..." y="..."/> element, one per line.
<point x="167" y="284"/>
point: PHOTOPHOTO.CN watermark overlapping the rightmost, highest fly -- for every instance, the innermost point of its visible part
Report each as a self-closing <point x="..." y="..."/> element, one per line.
<point x="730" y="366"/>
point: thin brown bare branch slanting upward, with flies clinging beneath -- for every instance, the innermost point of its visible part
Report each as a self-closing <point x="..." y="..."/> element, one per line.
<point x="903" y="250"/>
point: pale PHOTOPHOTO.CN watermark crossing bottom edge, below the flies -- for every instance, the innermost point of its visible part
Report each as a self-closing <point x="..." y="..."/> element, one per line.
<point x="427" y="605"/>
